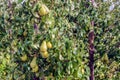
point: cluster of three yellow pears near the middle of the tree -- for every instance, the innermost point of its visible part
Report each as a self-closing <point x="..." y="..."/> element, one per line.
<point x="43" y="49"/>
